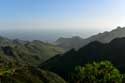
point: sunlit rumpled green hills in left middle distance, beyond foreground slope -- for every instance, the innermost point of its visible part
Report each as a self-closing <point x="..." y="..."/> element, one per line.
<point x="25" y="52"/>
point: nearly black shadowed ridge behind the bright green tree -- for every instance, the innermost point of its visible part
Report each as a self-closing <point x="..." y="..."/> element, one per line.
<point x="94" y="51"/>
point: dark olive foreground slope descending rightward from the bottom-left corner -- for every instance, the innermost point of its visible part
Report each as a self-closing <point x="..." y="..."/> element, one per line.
<point x="12" y="73"/>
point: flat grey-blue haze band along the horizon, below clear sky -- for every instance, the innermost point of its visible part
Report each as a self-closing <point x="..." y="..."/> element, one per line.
<point x="49" y="35"/>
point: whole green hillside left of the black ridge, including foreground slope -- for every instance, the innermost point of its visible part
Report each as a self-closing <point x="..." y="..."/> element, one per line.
<point x="19" y="60"/>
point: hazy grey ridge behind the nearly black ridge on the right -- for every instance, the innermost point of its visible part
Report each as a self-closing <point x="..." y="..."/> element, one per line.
<point x="77" y="42"/>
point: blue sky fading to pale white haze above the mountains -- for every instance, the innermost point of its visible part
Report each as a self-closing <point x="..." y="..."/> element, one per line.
<point x="60" y="17"/>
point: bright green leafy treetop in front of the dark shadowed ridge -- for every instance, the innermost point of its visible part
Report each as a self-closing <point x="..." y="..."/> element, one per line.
<point x="100" y="72"/>
